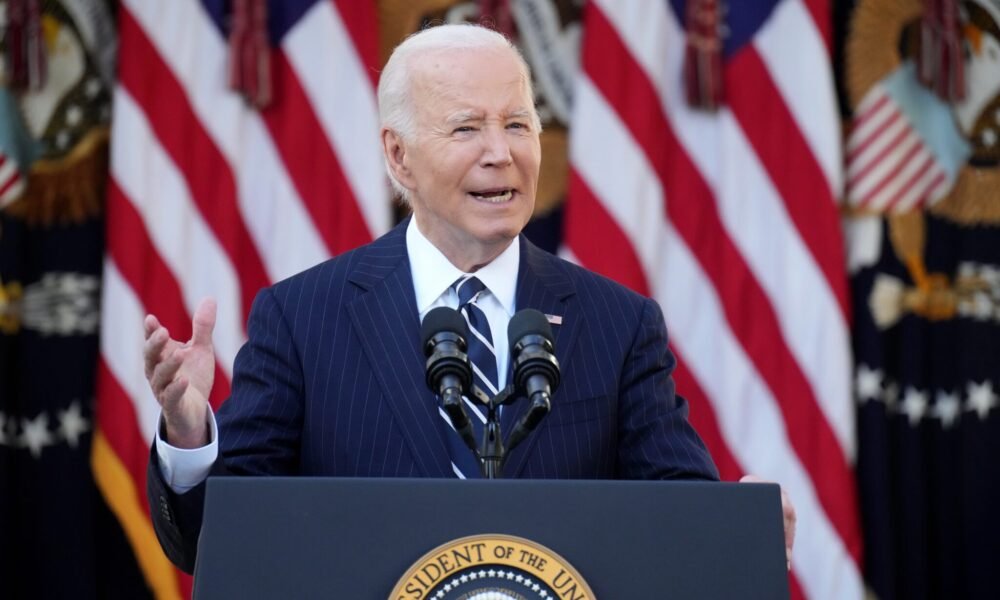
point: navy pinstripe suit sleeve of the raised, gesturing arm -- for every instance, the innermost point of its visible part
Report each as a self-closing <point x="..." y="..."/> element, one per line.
<point x="259" y="429"/>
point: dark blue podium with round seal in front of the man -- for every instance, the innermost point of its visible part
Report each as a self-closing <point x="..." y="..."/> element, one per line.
<point x="358" y="539"/>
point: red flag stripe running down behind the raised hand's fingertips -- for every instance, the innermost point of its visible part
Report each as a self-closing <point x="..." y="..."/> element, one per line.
<point x="143" y="269"/>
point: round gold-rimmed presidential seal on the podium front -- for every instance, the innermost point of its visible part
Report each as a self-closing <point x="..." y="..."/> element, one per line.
<point x="491" y="567"/>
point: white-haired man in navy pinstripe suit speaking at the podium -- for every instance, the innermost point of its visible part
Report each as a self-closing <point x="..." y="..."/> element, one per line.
<point x="331" y="381"/>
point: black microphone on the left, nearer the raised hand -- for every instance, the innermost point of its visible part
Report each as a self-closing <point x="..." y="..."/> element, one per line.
<point x="449" y="372"/>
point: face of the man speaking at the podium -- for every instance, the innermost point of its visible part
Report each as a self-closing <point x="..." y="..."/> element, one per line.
<point x="472" y="168"/>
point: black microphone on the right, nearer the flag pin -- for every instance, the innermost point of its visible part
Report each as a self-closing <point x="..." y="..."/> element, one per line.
<point x="536" y="370"/>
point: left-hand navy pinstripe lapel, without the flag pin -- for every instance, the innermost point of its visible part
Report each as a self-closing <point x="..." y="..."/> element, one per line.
<point x="386" y="320"/>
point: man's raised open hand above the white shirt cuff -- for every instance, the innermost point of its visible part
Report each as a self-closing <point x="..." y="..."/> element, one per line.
<point x="181" y="375"/>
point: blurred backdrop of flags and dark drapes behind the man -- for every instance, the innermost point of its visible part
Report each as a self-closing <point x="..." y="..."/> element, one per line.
<point x="810" y="189"/>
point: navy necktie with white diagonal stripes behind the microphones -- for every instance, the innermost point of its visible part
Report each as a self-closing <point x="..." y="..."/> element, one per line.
<point x="484" y="367"/>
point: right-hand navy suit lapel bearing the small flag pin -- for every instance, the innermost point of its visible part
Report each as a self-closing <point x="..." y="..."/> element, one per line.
<point x="543" y="285"/>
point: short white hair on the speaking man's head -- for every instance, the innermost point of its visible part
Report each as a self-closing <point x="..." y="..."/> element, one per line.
<point x="395" y="105"/>
